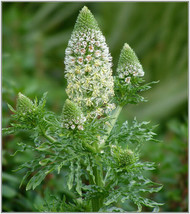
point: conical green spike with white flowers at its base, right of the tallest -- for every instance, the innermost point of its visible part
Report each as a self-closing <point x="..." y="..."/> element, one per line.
<point x="129" y="65"/>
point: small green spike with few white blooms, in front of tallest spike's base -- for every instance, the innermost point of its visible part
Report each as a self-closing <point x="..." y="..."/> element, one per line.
<point x="72" y="116"/>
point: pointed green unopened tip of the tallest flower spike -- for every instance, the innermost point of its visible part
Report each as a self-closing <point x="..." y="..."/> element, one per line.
<point x="86" y="20"/>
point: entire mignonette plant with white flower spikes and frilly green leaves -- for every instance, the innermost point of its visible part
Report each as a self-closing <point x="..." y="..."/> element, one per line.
<point x="100" y="158"/>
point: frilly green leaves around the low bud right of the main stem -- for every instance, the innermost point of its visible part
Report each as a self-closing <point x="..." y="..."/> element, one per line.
<point x="126" y="179"/>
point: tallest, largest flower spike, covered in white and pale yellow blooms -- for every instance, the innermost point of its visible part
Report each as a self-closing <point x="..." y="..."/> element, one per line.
<point x="88" y="67"/>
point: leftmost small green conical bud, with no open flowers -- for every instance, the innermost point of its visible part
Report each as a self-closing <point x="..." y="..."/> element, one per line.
<point x="24" y="103"/>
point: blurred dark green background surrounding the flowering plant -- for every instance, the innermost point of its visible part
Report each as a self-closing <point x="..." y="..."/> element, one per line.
<point x="34" y="38"/>
